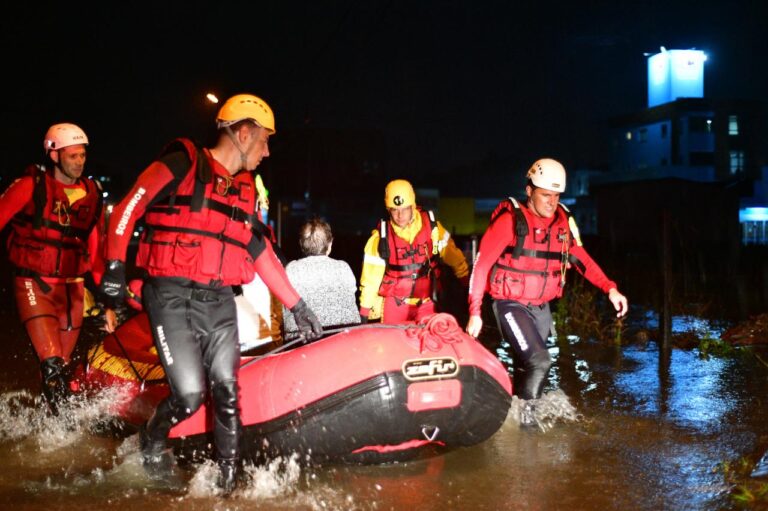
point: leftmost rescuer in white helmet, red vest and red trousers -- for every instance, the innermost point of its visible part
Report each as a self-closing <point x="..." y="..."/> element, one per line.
<point x="54" y="241"/>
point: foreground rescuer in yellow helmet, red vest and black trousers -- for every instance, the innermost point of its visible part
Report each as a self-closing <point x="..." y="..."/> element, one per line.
<point x="198" y="241"/>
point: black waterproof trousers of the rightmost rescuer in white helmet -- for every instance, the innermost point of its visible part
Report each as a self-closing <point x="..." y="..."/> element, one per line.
<point x="526" y="328"/>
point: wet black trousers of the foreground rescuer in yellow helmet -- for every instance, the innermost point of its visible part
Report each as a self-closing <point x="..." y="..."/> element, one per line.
<point x="195" y="333"/>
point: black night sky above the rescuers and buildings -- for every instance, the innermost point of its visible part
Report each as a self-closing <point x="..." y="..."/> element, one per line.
<point x="439" y="84"/>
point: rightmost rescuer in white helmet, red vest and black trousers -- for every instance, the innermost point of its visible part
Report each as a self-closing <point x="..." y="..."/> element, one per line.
<point x="522" y="262"/>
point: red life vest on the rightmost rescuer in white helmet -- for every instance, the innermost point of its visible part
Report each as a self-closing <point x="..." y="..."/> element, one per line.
<point x="532" y="271"/>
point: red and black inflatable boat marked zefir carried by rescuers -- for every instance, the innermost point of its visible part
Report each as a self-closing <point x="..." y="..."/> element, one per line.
<point x="369" y="394"/>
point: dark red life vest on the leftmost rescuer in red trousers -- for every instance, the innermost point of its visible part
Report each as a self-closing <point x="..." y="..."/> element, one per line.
<point x="50" y="235"/>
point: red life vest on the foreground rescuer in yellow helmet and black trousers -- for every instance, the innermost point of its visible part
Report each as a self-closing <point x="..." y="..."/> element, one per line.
<point x="202" y="230"/>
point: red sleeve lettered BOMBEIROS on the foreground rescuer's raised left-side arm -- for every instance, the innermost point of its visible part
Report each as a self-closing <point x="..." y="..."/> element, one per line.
<point x="124" y="215"/>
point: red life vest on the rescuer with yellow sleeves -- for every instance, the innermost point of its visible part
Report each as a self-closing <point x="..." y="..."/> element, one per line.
<point x="411" y="267"/>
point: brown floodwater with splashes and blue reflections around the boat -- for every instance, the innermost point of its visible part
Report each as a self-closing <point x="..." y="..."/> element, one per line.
<point x="620" y="428"/>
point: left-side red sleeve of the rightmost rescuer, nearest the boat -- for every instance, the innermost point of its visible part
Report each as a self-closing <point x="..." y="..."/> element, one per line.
<point x="496" y="238"/>
